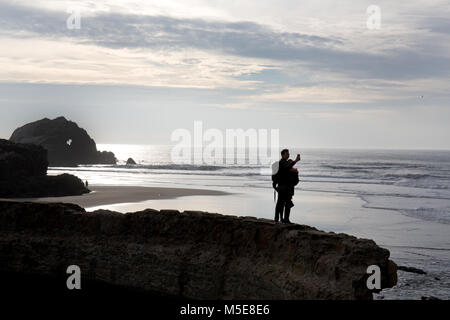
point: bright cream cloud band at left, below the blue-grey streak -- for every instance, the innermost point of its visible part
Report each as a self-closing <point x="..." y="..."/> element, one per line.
<point x="71" y="63"/>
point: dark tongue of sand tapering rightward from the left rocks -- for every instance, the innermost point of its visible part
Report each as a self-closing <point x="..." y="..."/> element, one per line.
<point x="109" y="195"/>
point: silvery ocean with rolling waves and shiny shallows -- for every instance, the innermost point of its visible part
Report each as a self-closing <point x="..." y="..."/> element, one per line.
<point x="399" y="198"/>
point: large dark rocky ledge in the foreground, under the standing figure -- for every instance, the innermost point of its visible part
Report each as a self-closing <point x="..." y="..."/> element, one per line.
<point x="190" y="254"/>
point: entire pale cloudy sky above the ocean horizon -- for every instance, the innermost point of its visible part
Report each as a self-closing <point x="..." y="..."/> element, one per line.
<point x="325" y="73"/>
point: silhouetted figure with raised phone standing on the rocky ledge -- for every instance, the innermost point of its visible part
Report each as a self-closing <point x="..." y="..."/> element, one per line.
<point x="284" y="179"/>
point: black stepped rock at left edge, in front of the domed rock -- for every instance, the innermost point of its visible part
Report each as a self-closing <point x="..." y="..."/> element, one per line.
<point x="23" y="169"/>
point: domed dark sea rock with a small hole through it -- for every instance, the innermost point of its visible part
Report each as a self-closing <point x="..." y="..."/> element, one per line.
<point x="66" y="143"/>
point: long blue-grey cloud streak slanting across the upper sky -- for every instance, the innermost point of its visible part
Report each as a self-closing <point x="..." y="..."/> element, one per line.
<point x="243" y="39"/>
